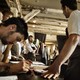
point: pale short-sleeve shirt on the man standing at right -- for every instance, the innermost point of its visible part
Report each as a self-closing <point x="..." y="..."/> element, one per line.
<point x="74" y="23"/>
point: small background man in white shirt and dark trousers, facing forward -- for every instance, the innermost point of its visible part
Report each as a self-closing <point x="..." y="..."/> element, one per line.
<point x="30" y="48"/>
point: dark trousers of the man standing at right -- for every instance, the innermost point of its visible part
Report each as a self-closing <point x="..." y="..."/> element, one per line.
<point x="73" y="68"/>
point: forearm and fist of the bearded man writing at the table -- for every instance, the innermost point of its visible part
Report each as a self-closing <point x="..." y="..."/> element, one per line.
<point x="11" y="68"/>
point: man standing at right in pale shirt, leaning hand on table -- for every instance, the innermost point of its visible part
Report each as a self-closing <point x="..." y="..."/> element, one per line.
<point x="71" y="48"/>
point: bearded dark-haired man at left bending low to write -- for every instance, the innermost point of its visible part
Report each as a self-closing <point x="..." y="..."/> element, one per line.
<point x="13" y="30"/>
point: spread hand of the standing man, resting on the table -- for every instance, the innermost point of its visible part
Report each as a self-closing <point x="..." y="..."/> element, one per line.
<point x="53" y="71"/>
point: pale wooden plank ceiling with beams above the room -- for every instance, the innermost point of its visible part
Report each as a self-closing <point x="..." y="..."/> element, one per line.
<point x="42" y="16"/>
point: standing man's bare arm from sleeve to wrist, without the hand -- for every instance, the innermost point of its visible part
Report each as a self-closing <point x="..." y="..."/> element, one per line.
<point x="68" y="48"/>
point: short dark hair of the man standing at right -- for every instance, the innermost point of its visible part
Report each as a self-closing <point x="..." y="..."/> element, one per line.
<point x="72" y="4"/>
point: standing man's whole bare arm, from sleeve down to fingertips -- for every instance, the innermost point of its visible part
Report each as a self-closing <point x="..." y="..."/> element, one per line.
<point x="66" y="52"/>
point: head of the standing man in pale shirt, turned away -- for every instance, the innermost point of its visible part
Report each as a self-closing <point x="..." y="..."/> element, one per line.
<point x="68" y="6"/>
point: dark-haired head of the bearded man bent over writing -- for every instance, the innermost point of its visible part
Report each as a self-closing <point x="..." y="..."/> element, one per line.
<point x="15" y="29"/>
